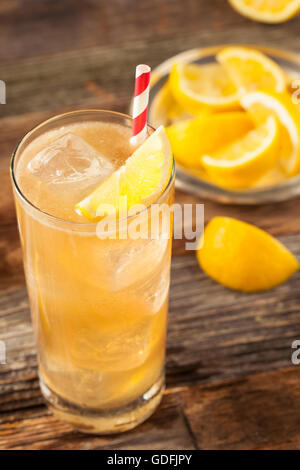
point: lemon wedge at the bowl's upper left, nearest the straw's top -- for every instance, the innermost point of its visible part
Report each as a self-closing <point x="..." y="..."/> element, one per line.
<point x="198" y="87"/>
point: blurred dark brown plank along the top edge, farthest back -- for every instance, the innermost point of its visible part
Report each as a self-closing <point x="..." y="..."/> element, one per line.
<point x="82" y="24"/>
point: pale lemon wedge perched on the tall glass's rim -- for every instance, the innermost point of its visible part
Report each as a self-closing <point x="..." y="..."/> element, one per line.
<point x="144" y="176"/>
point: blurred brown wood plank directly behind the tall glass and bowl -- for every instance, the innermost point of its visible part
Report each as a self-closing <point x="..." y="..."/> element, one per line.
<point x="92" y="78"/>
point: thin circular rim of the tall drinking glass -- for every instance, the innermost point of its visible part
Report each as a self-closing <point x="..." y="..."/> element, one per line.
<point x="70" y="223"/>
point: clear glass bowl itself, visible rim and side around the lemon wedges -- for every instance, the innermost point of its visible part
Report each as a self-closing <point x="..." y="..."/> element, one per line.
<point x="186" y="178"/>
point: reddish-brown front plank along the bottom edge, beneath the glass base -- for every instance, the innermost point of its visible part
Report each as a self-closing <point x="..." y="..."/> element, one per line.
<point x="256" y="412"/>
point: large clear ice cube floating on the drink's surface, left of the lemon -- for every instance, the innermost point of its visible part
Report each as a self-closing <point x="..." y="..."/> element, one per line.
<point x="69" y="159"/>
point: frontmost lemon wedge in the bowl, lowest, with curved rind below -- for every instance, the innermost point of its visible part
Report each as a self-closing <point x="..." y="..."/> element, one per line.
<point x="245" y="161"/>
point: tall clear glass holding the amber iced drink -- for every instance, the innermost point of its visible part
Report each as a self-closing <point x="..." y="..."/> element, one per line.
<point x="98" y="305"/>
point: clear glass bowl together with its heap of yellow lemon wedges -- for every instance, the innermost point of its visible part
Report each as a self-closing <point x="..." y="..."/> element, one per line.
<point x="232" y="114"/>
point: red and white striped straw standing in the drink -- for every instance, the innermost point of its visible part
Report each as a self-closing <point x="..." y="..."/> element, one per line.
<point x="140" y="104"/>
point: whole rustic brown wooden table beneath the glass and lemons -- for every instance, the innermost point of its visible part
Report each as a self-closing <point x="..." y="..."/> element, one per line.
<point x="230" y="381"/>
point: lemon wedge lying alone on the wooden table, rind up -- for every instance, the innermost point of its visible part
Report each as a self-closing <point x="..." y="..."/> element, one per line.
<point x="243" y="257"/>
